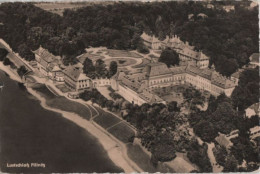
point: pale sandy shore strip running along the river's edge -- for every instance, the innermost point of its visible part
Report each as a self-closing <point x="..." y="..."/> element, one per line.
<point x="114" y="149"/>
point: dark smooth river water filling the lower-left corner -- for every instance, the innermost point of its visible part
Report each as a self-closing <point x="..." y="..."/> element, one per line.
<point x="31" y="134"/>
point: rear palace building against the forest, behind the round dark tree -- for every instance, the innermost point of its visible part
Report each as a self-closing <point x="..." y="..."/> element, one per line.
<point x="185" y="51"/>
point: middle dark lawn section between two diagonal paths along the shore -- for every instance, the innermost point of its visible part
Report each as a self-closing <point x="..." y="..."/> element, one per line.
<point x="106" y="119"/>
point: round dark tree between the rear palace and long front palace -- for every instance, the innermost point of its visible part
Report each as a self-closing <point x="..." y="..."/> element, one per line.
<point x="169" y="57"/>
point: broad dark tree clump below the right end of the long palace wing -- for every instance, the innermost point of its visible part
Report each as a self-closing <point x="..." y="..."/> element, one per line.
<point x="219" y="117"/>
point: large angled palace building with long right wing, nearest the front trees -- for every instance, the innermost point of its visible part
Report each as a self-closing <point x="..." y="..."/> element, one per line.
<point x="138" y="87"/>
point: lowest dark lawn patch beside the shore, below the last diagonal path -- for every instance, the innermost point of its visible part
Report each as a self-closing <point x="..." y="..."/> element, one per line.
<point x="122" y="132"/>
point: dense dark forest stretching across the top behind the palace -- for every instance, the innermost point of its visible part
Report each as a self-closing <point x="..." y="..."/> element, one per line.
<point x="227" y="38"/>
